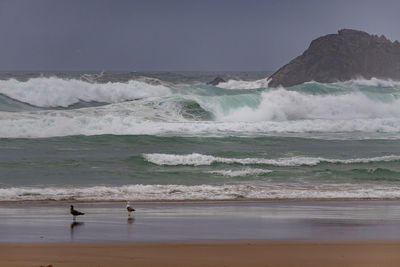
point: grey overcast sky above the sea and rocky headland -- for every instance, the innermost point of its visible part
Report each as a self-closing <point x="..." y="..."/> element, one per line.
<point x="177" y="34"/>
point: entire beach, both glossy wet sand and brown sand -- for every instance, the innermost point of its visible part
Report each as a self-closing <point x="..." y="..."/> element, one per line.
<point x="219" y="233"/>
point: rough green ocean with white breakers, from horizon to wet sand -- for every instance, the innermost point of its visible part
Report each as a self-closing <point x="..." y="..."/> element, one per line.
<point x="171" y="136"/>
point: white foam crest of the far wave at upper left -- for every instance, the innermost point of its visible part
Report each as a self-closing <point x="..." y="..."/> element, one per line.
<point x="56" y="92"/>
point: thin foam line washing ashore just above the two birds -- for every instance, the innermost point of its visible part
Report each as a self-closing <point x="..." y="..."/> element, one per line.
<point x="202" y="192"/>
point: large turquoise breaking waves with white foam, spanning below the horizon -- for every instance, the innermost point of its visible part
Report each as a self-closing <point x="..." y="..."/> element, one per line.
<point x="135" y="107"/>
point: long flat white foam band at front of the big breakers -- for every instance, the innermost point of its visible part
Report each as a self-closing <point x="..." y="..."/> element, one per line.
<point x="65" y="123"/>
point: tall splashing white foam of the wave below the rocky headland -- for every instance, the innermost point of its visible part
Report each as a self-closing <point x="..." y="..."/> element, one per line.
<point x="284" y="105"/>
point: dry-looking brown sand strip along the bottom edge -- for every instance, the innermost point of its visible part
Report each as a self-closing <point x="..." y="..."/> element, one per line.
<point x="260" y="253"/>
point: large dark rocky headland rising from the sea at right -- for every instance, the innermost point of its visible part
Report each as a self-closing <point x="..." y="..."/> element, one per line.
<point x="343" y="56"/>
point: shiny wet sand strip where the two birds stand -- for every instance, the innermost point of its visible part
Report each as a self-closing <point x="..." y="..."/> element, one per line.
<point x="200" y="221"/>
